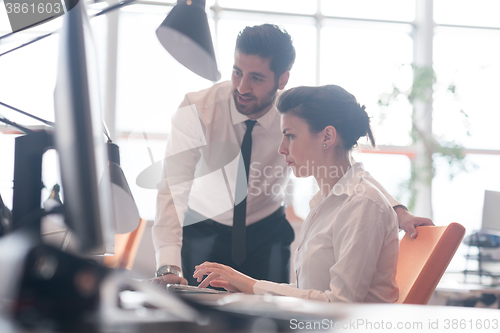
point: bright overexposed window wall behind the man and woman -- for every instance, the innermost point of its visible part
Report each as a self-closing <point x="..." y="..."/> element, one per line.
<point x="365" y="46"/>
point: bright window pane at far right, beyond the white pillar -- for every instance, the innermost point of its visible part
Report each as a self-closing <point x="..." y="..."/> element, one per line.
<point x="469" y="60"/>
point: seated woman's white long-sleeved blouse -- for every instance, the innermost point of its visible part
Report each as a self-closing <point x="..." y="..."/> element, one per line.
<point x="348" y="246"/>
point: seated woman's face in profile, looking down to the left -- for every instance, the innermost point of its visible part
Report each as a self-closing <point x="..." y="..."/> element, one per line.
<point x="299" y="146"/>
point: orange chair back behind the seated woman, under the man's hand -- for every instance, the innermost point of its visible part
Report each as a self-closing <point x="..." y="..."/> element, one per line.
<point x="423" y="260"/>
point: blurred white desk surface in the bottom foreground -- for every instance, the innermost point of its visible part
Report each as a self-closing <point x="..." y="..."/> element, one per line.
<point x="297" y="315"/>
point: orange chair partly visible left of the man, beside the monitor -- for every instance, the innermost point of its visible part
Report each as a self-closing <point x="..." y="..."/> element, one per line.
<point x="126" y="246"/>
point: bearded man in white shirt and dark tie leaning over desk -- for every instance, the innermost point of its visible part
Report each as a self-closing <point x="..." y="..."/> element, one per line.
<point x="251" y="232"/>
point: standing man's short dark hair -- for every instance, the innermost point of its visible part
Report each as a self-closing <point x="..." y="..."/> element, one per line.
<point x="271" y="42"/>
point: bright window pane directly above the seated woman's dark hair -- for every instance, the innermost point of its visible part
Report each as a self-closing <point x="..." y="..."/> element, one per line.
<point x="367" y="59"/>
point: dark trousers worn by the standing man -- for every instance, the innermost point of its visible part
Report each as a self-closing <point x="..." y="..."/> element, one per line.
<point x="267" y="247"/>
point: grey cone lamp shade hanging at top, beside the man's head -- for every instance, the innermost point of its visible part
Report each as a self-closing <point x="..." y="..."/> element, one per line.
<point x="186" y="36"/>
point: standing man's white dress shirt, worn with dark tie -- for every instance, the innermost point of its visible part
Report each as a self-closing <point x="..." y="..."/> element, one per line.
<point x="206" y="119"/>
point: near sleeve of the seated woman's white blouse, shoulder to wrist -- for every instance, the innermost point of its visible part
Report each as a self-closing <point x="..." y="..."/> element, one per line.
<point x="365" y="247"/>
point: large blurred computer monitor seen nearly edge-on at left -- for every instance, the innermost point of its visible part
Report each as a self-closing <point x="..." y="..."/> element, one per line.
<point x="79" y="138"/>
